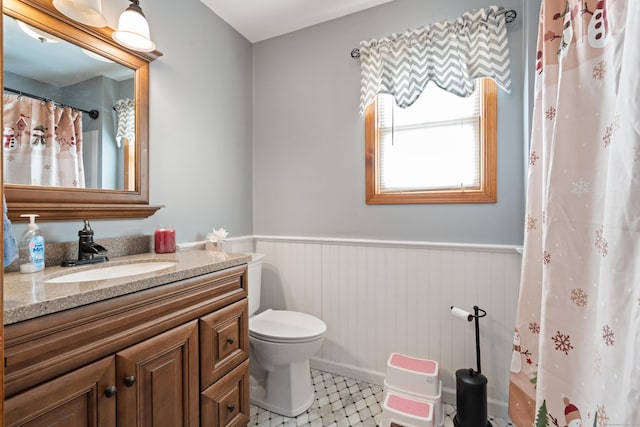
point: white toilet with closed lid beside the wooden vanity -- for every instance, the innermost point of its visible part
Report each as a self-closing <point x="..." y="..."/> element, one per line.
<point x="281" y="343"/>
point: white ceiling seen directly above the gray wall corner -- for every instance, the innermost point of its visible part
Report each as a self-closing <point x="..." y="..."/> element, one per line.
<point x="263" y="19"/>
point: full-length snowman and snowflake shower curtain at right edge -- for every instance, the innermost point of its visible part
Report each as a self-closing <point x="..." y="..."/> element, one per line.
<point x="576" y="348"/>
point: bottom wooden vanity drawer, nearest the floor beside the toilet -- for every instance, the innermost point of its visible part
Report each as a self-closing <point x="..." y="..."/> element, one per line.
<point x="226" y="403"/>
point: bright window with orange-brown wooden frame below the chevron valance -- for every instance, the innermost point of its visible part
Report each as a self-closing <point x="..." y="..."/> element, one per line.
<point x="442" y="149"/>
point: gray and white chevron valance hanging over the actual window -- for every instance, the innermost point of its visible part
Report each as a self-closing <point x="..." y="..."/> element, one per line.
<point x="450" y="54"/>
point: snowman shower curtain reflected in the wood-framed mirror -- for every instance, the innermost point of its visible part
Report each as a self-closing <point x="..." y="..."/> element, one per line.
<point x="42" y="143"/>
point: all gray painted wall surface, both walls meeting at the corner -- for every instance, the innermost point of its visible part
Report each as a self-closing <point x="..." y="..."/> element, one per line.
<point x="295" y="98"/>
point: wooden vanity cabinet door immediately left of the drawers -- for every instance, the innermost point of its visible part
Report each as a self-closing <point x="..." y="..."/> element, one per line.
<point x="157" y="380"/>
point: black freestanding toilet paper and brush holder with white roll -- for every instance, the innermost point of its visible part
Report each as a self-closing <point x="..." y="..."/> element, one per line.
<point x="471" y="386"/>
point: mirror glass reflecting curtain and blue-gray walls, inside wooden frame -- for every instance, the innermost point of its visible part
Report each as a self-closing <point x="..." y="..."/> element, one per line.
<point x="68" y="116"/>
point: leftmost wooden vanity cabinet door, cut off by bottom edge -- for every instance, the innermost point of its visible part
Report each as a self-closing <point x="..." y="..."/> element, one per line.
<point x="84" y="397"/>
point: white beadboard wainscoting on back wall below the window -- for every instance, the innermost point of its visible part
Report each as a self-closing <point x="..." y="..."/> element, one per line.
<point x="380" y="297"/>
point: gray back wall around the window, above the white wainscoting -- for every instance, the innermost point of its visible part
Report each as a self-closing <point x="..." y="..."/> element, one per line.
<point x="309" y="137"/>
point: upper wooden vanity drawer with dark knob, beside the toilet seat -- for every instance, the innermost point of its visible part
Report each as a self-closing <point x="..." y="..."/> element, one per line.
<point x="224" y="341"/>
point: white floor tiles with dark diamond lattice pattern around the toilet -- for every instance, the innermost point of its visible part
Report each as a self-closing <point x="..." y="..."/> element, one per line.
<point x="342" y="402"/>
